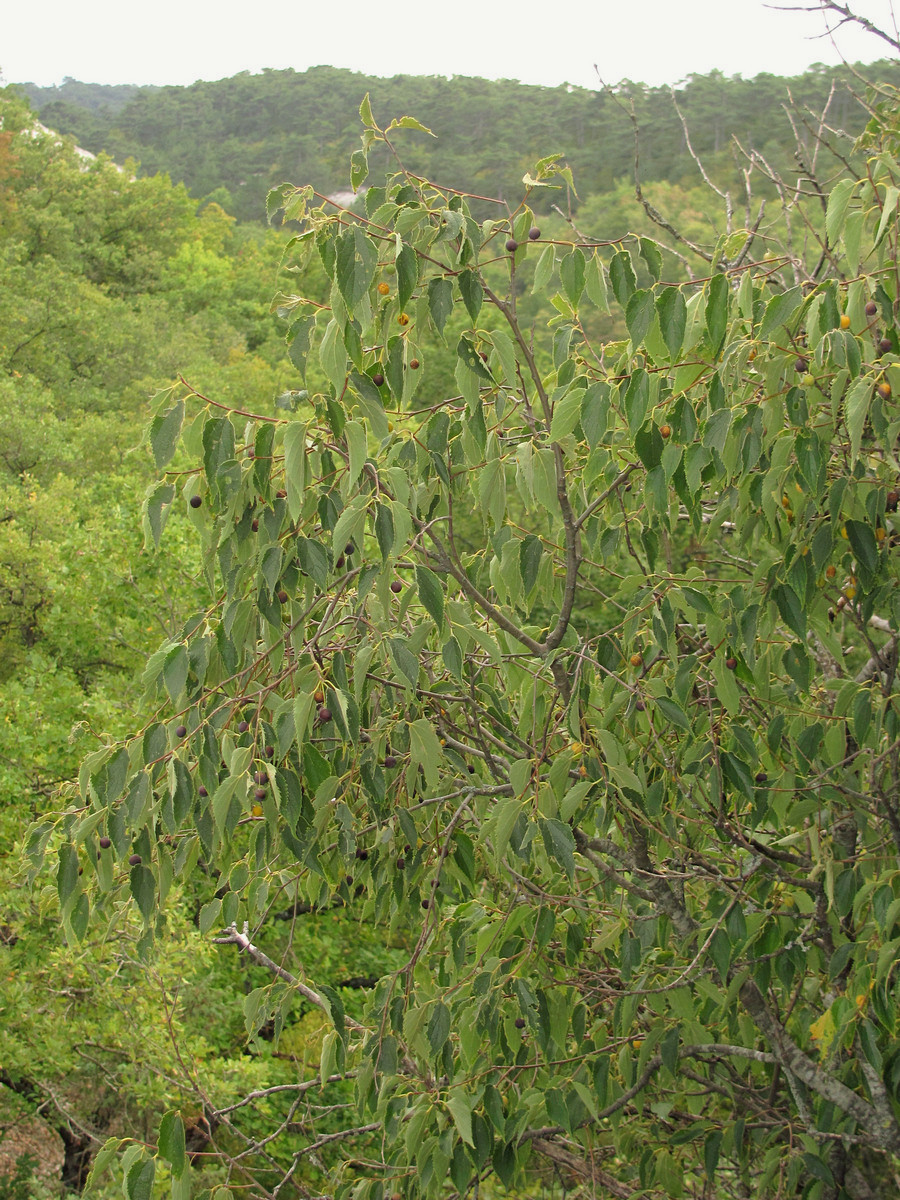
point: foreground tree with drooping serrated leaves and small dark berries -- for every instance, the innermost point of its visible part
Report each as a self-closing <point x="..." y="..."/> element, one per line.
<point x="574" y="677"/>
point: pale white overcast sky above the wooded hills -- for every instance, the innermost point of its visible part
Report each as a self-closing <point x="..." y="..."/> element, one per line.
<point x="649" y="41"/>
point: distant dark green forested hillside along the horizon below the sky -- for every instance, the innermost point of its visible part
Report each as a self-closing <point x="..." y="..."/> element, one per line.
<point x="255" y="131"/>
